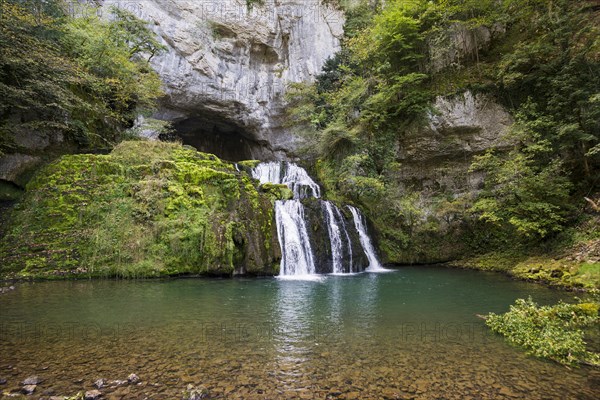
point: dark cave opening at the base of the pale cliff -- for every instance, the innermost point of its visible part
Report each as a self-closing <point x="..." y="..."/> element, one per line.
<point x="221" y="138"/>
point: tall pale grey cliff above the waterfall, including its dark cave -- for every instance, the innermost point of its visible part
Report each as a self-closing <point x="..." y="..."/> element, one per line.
<point x="228" y="64"/>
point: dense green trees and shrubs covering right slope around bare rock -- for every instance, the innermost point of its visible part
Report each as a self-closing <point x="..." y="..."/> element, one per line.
<point x="539" y="58"/>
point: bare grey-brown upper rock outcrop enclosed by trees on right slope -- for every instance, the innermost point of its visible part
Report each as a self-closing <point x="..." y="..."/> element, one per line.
<point x="437" y="157"/>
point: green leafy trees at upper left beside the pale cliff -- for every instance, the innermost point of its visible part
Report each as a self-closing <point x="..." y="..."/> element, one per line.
<point x="82" y="76"/>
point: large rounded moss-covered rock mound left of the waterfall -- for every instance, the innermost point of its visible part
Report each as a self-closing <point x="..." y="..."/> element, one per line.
<point x="147" y="209"/>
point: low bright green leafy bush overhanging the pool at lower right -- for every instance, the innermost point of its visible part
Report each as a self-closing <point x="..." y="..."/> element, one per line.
<point x="553" y="332"/>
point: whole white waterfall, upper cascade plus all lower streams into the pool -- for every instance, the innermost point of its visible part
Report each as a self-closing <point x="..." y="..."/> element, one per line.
<point x="296" y="238"/>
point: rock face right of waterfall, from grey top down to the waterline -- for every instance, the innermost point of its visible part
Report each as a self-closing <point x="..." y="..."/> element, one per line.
<point x="433" y="174"/>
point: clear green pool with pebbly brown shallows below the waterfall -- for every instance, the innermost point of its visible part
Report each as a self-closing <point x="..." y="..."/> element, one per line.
<point x="412" y="333"/>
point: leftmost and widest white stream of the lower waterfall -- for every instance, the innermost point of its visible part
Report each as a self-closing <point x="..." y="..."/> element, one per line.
<point x="297" y="257"/>
